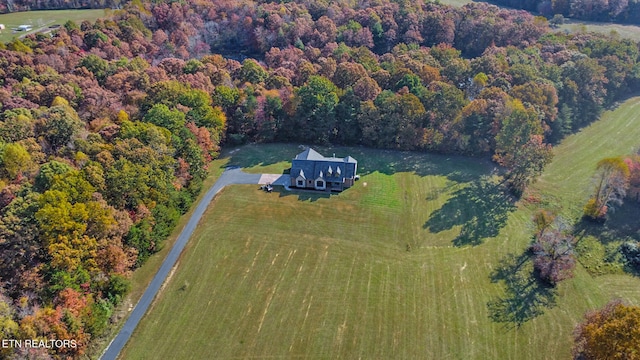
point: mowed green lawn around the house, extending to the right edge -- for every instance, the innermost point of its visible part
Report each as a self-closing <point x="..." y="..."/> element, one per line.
<point x="413" y="262"/>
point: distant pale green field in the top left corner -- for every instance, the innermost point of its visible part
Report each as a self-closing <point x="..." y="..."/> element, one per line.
<point x="43" y="18"/>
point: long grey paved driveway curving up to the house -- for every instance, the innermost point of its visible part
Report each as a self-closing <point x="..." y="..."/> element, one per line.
<point x="228" y="177"/>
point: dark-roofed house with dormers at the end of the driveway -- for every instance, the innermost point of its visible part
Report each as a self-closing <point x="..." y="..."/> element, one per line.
<point x="310" y="170"/>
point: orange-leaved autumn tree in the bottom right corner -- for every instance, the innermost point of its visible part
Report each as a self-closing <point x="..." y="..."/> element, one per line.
<point x="609" y="333"/>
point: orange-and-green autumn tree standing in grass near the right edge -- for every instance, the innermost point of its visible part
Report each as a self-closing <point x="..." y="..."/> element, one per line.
<point x="611" y="182"/>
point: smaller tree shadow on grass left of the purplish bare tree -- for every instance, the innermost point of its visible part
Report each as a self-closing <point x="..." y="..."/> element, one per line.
<point x="525" y="296"/>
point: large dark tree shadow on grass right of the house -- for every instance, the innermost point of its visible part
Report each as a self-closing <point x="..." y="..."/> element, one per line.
<point x="482" y="208"/>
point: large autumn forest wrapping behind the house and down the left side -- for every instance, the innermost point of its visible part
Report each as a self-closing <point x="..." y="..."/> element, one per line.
<point x="107" y="129"/>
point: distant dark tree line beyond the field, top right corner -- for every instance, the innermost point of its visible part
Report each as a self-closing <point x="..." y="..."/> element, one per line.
<point x="620" y="11"/>
